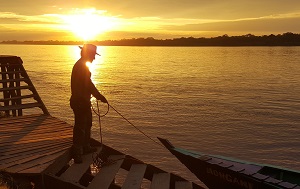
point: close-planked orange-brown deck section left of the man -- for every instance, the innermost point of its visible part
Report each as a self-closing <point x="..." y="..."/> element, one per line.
<point x="29" y="144"/>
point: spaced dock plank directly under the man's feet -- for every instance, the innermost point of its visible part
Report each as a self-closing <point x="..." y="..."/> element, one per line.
<point x="76" y="171"/>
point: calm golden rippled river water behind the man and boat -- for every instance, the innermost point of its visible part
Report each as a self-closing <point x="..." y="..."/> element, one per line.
<point x="241" y="102"/>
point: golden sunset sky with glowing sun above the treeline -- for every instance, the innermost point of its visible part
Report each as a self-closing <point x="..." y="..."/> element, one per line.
<point x="67" y="20"/>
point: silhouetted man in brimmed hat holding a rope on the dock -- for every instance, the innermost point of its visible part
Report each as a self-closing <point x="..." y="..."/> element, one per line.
<point x="82" y="88"/>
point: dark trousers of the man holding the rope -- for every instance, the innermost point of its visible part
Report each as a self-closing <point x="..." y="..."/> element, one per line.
<point x="82" y="129"/>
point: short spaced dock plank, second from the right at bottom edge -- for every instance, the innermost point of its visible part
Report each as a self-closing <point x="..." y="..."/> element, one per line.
<point x="161" y="181"/>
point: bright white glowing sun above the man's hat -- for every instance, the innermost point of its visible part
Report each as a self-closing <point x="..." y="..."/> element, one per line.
<point x="87" y="24"/>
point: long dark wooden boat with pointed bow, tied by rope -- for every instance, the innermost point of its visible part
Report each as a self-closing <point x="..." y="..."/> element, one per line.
<point x="220" y="172"/>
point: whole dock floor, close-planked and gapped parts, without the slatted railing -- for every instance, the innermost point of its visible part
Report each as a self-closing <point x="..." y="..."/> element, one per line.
<point x="40" y="145"/>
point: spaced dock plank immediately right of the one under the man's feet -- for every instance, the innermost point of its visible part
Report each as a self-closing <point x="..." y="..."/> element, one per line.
<point x="107" y="174"/>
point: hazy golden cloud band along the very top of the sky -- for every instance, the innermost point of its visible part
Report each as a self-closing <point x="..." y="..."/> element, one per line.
<point x="193" y="9"/>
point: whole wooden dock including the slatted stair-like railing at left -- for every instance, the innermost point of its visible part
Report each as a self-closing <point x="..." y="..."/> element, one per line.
<point x="38" y="146"/>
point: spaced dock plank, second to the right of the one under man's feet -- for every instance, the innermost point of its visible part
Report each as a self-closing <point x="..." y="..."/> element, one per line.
<point x="135" y="176"/>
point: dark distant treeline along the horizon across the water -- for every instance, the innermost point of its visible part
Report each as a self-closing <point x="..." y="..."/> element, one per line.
<point x="285" y="39"/>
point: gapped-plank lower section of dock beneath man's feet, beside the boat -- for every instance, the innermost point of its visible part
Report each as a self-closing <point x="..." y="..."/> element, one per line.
<point x="124" y="172"/>
